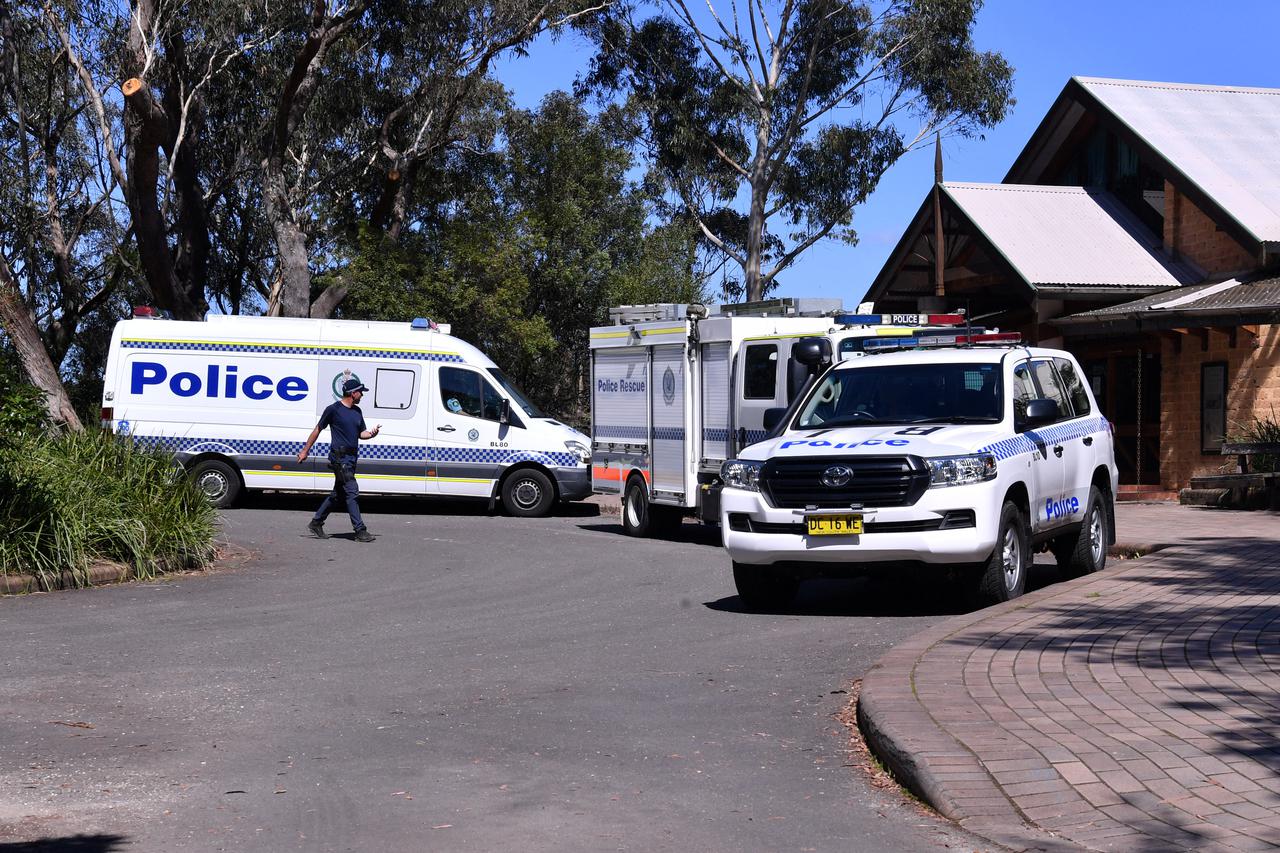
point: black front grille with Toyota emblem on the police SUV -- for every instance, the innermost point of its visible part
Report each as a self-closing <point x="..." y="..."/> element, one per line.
<point x="877" y="481"/>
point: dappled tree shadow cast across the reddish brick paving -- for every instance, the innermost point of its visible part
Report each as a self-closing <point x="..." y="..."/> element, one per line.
<point x="1213" y="609"/>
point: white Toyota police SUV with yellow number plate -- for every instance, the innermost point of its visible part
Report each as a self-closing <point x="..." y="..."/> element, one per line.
<point x="966" y="457"/>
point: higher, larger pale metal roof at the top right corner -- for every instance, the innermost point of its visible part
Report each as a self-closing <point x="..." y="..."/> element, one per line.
<point x="1223" y="139"/>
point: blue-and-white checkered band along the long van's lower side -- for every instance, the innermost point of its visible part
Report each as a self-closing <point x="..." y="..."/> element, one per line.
<point x="395" y="453"/>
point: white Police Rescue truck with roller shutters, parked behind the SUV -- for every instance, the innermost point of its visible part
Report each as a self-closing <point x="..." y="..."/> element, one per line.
<point x="678" y="390"/>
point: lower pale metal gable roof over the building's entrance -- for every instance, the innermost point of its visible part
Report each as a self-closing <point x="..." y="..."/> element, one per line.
<point x="1068" y="238"/>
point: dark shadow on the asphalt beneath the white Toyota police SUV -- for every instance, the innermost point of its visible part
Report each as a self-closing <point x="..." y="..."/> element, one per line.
<point x="912" y="594"/>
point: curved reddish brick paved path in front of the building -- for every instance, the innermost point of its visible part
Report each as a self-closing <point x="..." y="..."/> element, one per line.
<point x="1133" y="710"/>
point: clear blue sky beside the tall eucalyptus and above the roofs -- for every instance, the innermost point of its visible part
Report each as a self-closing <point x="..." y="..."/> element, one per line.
<point x="1048" y="42"/>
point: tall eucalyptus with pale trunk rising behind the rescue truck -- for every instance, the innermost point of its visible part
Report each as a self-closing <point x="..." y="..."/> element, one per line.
<point x="792" y="110"/>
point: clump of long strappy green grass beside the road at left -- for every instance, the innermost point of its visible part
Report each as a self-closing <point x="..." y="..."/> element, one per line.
<point x="77" y="498"/>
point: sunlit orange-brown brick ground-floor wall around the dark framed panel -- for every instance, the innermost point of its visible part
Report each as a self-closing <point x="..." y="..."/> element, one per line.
<point x="1254" y="391"/>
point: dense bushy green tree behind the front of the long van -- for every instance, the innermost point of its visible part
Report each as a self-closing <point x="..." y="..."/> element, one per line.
<point x="534" y="247"/>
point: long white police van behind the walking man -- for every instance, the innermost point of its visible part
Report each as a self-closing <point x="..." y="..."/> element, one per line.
<point x="235" y="399"/>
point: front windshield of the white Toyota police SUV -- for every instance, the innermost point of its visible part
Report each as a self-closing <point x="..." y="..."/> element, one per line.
<point x="906" y="394"/>
